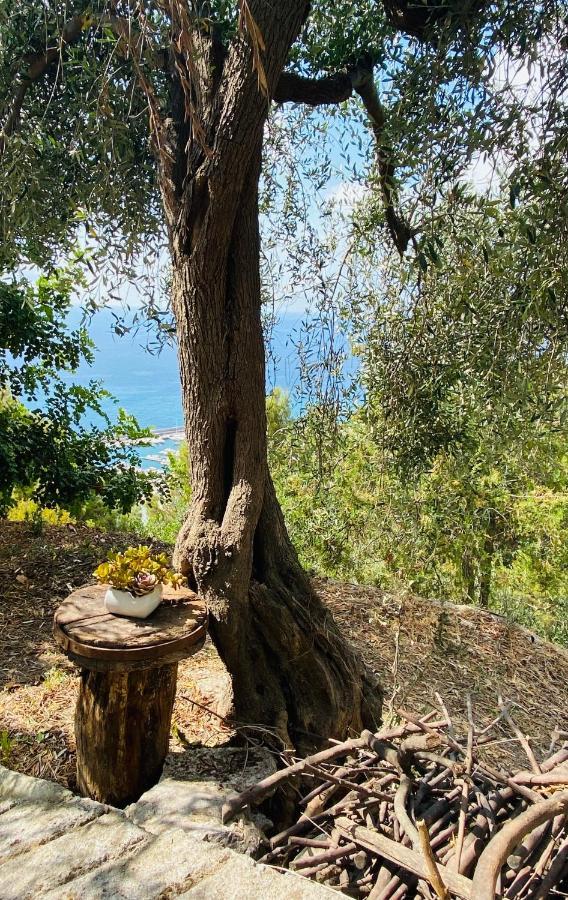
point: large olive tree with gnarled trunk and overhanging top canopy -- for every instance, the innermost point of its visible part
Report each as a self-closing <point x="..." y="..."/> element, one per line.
<point x="122" y="117"/>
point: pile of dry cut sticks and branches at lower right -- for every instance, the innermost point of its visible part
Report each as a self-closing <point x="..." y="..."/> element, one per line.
<point x="416" y="811"/>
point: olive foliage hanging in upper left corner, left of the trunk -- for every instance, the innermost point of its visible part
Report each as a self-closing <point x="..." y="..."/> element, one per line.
<point x="79" y="163"/>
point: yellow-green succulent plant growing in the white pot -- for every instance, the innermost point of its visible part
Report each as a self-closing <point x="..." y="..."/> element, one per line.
<point x="138" y="571"/>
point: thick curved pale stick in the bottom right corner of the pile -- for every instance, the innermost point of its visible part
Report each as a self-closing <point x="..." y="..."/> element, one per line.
<point x="499" y="847"/>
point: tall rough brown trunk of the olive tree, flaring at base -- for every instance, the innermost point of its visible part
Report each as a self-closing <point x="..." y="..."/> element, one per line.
<point x="290" y="667"/>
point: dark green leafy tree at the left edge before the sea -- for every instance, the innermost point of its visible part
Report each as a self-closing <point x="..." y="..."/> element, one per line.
<point x="46" y="450"/>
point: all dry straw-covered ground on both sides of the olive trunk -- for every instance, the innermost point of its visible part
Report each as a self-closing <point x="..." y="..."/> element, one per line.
<point x="416" y="647"/>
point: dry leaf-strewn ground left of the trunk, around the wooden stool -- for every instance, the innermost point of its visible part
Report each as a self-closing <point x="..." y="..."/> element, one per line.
<point x="38" y="685"/>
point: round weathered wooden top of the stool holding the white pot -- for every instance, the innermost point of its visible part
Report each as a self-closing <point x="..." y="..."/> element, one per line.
<point x="95" y="639"/>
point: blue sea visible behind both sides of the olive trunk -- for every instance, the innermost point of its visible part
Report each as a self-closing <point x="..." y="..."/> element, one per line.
<point x="147" y="384"/>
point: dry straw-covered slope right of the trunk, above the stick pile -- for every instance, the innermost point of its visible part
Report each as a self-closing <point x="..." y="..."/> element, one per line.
<point x="418" y="647"/>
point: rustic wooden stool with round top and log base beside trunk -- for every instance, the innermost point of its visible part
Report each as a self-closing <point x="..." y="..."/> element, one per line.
<point x="128" y="686"/>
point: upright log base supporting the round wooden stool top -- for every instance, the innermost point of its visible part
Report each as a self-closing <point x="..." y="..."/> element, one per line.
<point x="122" y="729"/>
